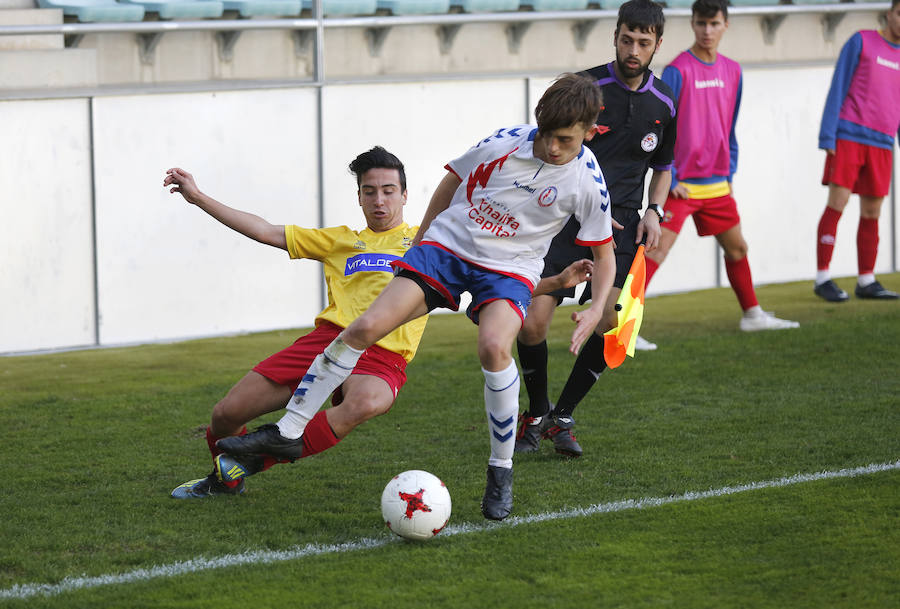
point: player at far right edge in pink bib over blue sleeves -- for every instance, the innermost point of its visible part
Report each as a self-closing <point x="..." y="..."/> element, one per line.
<point x="861" y="118"/>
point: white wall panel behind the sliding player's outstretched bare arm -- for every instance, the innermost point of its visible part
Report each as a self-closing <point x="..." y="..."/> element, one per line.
<point x="168" y="270"/>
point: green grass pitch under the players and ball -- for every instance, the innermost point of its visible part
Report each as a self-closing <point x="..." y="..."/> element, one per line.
<point x="93" y="442"/>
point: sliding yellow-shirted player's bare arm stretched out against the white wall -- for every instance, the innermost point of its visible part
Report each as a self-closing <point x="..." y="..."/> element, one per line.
<point x="245" y="223"/>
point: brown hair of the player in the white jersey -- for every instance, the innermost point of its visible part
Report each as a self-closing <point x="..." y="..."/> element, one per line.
<point x="570" y="99"/>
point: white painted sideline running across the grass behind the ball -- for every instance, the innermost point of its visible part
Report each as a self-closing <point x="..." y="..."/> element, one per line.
<point x="23" y="591"/>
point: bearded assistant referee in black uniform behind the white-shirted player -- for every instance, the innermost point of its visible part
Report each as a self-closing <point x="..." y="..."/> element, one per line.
<point x="635" y="132"/>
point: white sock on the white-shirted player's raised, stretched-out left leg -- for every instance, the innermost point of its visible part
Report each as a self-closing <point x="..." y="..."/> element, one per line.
<point x="327" y="372"/>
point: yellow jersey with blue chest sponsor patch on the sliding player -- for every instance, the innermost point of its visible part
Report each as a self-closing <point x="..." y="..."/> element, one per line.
<point x="357" y="266"/>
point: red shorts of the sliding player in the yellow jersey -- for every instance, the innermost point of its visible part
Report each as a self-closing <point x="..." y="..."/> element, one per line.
<point x="289" y="365"/>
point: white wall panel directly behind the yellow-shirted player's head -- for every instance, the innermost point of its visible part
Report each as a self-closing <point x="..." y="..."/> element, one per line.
<point x="424" y="124"/>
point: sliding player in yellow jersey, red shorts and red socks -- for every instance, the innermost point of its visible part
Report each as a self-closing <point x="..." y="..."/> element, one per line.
<point x="357" y="265"/>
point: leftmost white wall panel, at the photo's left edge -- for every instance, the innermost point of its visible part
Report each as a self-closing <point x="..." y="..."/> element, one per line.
<point x="46" y="260"/>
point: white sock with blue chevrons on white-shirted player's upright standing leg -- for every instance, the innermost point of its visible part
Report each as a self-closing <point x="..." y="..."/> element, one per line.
<point x="501" y="402"/>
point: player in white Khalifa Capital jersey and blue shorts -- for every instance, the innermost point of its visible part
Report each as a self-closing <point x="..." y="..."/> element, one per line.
<point x="486" y="231"/>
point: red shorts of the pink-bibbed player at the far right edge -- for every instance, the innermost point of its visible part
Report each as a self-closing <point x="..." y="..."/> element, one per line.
<point x="865" y="170"/>
